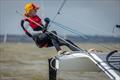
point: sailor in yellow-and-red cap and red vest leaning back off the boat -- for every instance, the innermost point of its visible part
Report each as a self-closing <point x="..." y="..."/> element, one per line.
<point x="39" y="33"/>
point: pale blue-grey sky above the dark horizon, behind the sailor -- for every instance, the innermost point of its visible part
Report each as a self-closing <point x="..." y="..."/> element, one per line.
<point x="91" y="17"/>
